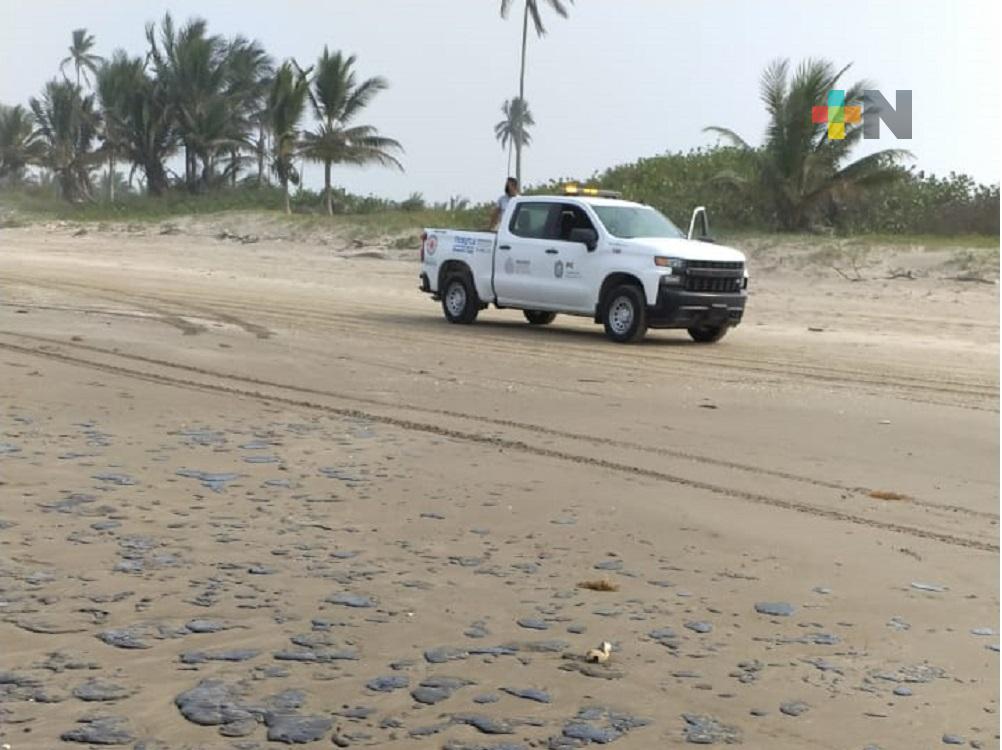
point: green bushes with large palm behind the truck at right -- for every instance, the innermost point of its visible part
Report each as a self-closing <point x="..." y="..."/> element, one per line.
<point x="798" y="179"/>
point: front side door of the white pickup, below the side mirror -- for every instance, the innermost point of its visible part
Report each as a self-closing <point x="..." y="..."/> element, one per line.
<point x="569" y="281"/>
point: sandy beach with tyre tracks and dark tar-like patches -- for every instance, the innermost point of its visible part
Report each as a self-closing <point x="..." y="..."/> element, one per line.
<point x="260" y="492"/>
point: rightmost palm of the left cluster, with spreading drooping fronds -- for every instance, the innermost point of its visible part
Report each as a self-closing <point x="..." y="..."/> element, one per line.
<point x="337" y="101"/>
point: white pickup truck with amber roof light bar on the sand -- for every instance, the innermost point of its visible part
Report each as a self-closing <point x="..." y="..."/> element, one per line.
<point x="588" y="254"/>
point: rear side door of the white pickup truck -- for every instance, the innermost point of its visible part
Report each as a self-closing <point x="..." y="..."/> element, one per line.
<point x="523" y="257"/>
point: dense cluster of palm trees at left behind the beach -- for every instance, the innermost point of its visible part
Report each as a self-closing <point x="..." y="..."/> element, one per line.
<point x="221" y="104"/>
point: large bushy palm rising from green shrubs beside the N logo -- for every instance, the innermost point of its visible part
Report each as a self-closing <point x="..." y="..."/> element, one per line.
<point x="798" y="166"/>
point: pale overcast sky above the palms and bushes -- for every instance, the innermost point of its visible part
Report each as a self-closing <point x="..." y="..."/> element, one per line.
<point x="619" y="81"/>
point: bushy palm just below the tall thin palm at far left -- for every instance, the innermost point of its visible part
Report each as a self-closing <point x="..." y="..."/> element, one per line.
<point x="68" y="126"/>
